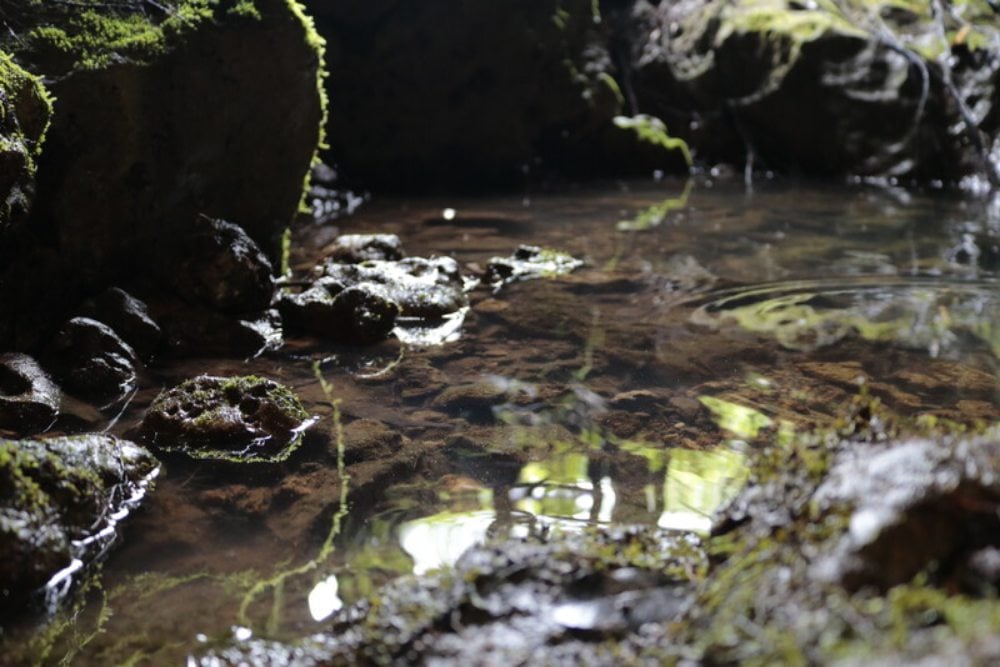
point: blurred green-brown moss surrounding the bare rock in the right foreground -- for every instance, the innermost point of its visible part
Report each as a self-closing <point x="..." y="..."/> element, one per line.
<point x="761" y="604"/>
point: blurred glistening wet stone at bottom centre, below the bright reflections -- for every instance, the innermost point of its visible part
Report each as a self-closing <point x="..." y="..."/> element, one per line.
<point x="522" y="602"/>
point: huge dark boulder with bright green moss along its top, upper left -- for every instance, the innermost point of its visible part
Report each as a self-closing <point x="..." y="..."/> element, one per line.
<point x="164" y="112"/>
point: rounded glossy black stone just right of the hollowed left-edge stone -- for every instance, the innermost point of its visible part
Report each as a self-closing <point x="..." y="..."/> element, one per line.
<point x="89" y="359"/>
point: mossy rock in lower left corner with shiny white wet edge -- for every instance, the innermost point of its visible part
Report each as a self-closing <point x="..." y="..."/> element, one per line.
<point x="60" y="500"/>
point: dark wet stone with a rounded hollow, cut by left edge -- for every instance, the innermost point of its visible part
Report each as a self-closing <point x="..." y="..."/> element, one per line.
<point x="29" y="400"/>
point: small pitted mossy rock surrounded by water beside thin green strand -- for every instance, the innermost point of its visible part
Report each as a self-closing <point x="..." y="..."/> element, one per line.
<point x="240" y="419"/>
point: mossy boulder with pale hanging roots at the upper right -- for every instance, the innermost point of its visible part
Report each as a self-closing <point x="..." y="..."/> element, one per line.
<point x="885" y="88"/>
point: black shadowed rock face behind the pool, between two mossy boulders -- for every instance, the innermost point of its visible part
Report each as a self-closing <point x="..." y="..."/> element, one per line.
<point x="458" y="94"/>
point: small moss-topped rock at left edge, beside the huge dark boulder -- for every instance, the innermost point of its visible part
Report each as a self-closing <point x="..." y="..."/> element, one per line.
<point x="24" y="115"/>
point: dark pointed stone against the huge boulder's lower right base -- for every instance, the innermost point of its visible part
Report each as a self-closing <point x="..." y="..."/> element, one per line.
<point x="220" y="266"/>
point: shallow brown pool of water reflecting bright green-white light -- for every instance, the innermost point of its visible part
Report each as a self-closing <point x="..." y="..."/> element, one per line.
<point x="629" y="391"/>
